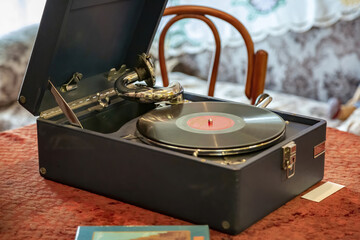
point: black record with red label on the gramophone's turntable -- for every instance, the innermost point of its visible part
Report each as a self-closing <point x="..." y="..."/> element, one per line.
<point x="211" y="128"/>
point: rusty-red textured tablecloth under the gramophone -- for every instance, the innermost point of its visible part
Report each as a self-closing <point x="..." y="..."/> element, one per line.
<point x="34" y="208"/>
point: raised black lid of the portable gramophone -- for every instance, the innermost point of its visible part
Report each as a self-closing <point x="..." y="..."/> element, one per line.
<point x="90" y="37"/>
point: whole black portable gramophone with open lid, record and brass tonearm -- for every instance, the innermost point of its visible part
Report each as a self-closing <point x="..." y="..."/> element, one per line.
<point x="197" y="158"/>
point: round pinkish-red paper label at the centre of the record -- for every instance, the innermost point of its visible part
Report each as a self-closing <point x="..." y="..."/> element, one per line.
<point x="210" y="122"/>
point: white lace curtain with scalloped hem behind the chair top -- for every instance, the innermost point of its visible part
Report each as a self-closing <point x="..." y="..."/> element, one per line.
<point x="260" y="17"/>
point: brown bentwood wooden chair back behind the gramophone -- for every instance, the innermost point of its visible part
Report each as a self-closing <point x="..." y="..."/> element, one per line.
<point x="257" y="62"/>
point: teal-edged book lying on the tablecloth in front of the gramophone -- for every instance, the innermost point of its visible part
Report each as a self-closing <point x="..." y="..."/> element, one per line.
<point x="195" y="232"/>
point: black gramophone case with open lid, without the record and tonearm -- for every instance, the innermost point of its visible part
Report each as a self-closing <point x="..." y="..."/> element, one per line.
<point x="92" y="36"/>
